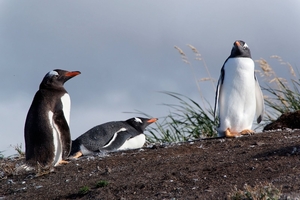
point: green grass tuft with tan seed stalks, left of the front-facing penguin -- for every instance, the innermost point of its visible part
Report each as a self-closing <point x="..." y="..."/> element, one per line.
<point x="187" y="120"/>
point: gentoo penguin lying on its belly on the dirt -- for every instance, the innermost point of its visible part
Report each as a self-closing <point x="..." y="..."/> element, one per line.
<point x="112" y="136"/>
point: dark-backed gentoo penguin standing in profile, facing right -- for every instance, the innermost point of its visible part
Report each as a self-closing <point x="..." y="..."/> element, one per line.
<point x="47" y="133"/>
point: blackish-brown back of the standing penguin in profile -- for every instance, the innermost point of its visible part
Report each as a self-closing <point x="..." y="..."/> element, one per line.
<point x="38" y="130"/>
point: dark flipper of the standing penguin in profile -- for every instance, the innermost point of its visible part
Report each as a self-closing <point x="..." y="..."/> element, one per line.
<point x="62" y="125"/>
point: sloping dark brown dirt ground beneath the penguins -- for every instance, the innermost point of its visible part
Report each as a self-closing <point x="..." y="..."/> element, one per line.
<point x="203" y="169"/>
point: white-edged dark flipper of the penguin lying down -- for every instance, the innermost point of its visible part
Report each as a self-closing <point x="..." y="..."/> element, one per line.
<point x="117" y="140"/>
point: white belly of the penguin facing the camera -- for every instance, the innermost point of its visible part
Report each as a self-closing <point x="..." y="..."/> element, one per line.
<point x="237" y="98"/>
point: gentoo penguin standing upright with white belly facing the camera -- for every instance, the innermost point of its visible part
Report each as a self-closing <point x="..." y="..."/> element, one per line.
<point x="238" y="95"/>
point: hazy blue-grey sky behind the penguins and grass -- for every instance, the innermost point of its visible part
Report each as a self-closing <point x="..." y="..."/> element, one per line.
<point x="125" y="52"/>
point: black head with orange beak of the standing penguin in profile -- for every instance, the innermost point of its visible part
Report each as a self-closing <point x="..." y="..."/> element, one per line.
<point x="57" y="78"/>
